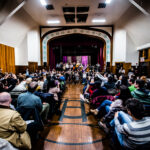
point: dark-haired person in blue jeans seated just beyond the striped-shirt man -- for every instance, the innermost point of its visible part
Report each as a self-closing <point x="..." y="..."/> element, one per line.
<point x="111" y="107"/>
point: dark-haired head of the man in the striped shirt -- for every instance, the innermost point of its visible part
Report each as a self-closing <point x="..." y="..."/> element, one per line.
<point x="136" y="108"/>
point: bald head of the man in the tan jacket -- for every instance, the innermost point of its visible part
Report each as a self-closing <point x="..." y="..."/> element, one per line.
<point x="5" y="98"/>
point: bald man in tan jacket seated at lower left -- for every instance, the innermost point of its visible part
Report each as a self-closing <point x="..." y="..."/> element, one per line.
<point x="12" y="126"/>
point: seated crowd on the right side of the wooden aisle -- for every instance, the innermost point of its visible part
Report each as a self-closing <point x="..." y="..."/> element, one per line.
<point x="122" y="106"/>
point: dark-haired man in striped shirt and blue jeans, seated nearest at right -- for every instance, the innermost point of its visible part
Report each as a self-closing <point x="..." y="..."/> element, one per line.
<point x="132" y="130"/>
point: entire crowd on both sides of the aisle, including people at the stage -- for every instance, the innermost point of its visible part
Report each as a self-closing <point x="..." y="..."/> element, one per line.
<point x="121" y="103"/>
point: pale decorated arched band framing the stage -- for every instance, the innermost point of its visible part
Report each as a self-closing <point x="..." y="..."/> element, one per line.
<point x="76" y="31"/>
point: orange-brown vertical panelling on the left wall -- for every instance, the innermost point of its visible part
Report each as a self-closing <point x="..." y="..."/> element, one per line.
<point x="7" y="58"/>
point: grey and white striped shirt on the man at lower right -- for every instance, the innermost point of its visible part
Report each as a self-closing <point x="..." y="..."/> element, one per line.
<point x="134" y="133"/>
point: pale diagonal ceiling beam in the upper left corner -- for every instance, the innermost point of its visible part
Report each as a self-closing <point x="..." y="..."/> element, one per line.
<point x="13" y="12"/>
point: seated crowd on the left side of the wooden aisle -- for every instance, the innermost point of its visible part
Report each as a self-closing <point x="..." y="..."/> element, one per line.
<point x="27" y="102"/>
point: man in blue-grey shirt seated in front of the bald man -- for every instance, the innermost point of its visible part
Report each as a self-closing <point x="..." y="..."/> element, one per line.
<point x="29" y="99"/>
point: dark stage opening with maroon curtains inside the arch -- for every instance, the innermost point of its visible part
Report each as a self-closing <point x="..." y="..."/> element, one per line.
<point x="76" y="45"/>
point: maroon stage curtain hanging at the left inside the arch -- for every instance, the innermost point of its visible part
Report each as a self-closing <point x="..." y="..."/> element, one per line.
<point x="52" y="59"/>
